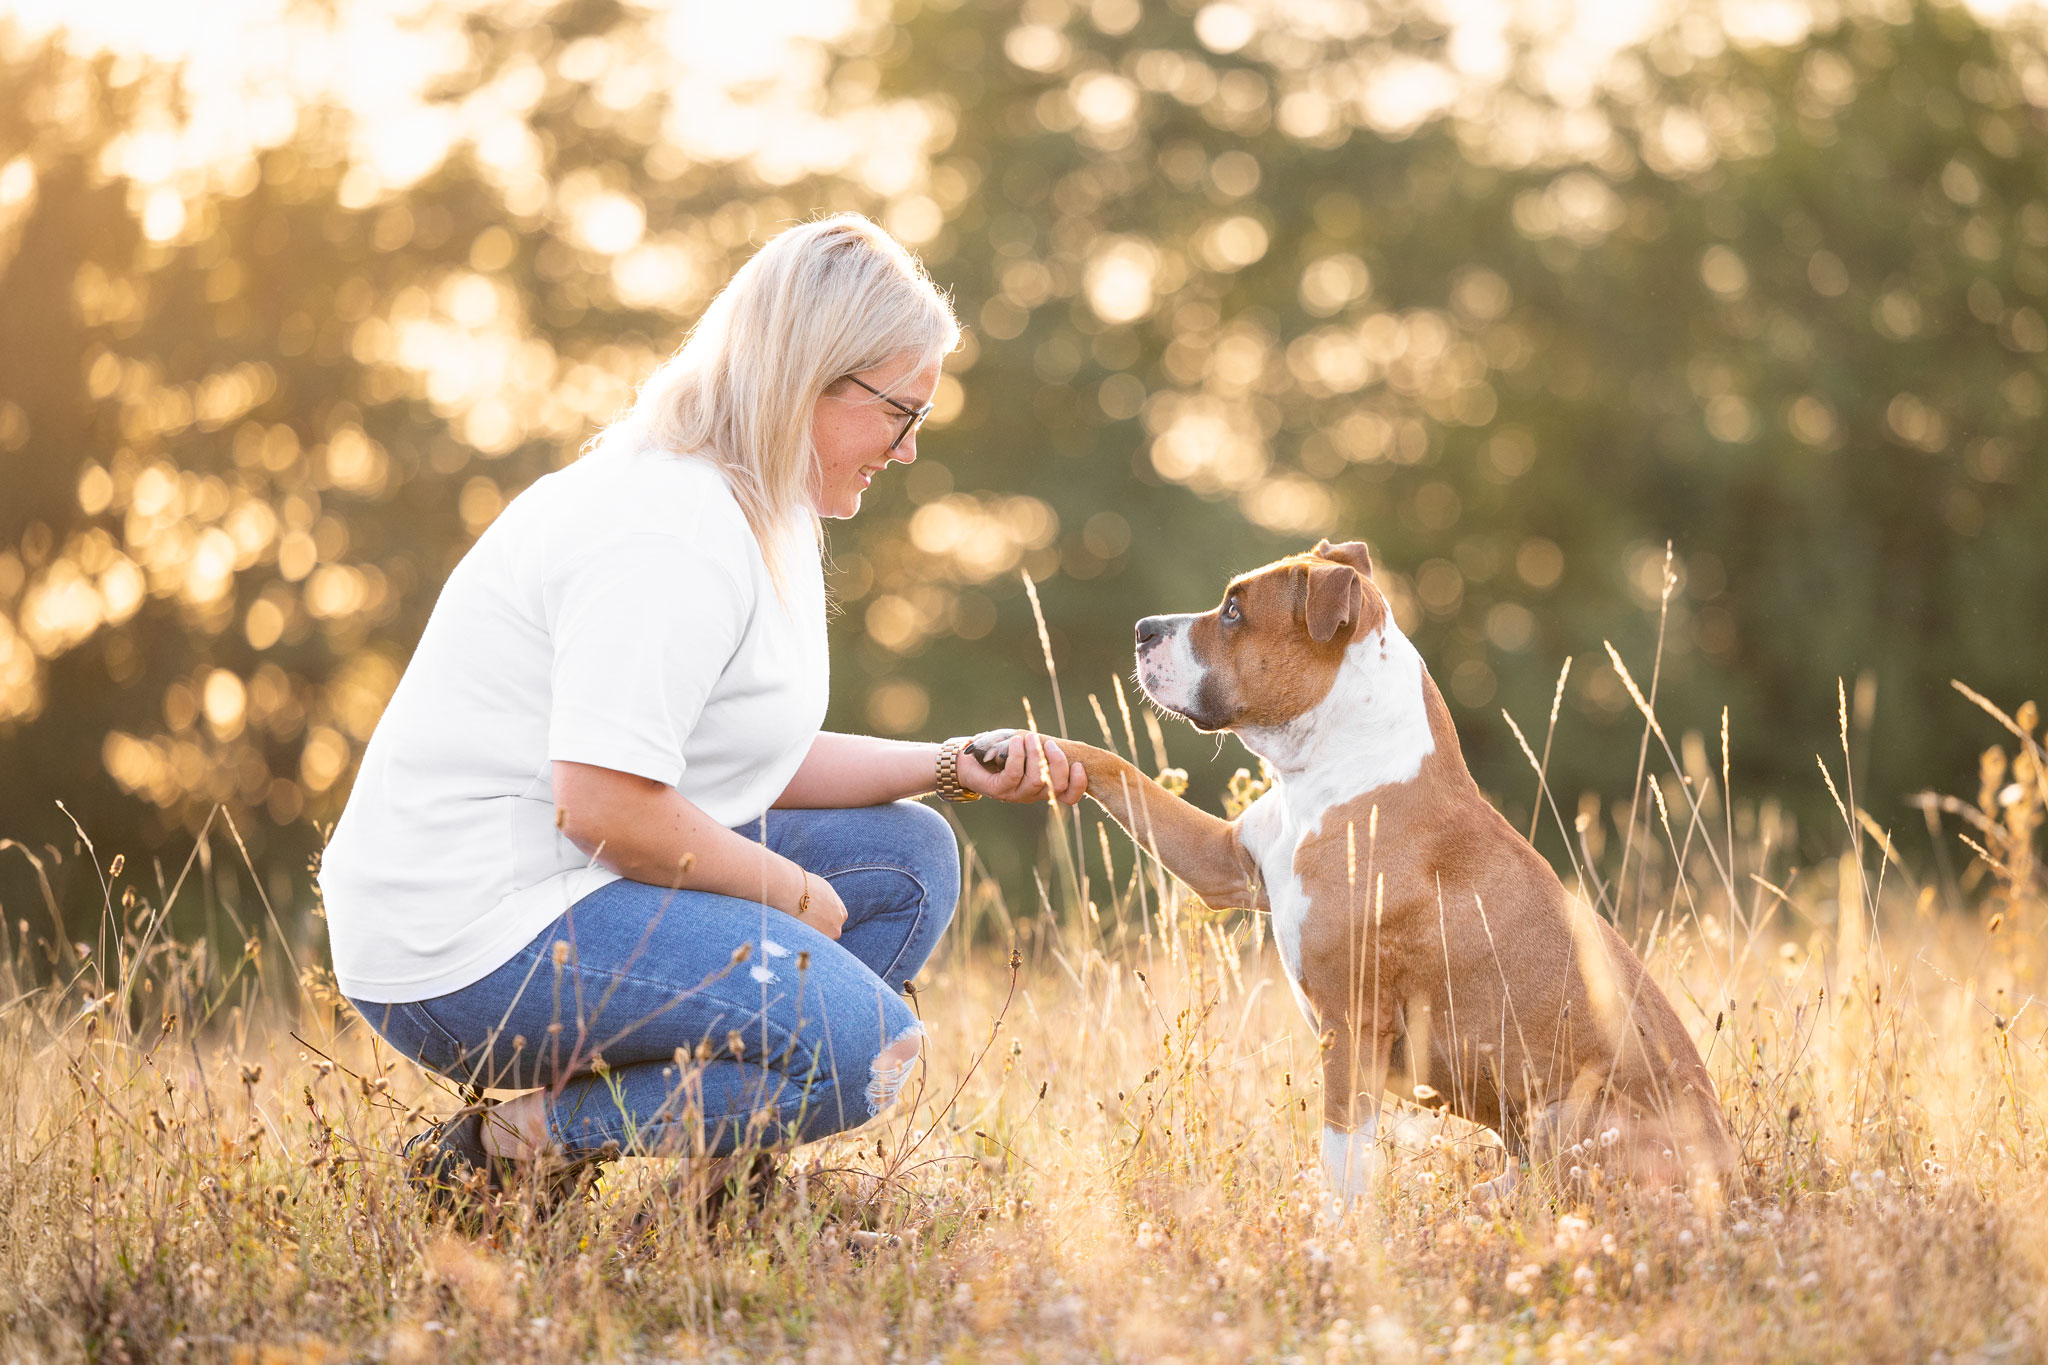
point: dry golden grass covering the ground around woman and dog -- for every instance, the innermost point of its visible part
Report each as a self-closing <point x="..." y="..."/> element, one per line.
<point x="1111" y="1153"/>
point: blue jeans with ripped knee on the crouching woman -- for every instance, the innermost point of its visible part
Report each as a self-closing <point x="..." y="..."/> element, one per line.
<point x="691" y="1022"/>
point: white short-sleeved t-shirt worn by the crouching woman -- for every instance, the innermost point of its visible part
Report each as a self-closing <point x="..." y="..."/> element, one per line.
<point x="617" y="613"/>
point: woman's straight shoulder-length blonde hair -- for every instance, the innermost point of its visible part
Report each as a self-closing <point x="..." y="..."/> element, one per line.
<point x="814" y="306"/>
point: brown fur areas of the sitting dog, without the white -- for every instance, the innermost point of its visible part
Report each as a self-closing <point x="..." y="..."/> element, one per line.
<point x="1455" y="959"/>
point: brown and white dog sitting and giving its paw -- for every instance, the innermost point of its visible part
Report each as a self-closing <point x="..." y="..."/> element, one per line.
<point x="1426" y="940"/>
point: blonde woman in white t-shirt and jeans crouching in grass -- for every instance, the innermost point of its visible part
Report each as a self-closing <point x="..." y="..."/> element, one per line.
<point x="599" y="844"/>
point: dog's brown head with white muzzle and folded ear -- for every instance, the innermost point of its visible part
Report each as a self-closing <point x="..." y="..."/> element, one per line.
<point x="1271" y="650"/>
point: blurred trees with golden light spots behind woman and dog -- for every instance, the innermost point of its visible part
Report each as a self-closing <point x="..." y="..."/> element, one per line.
<point x="294" y="298"/>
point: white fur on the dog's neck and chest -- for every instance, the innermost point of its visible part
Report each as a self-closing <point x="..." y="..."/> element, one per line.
<point x="1371" y="732"/>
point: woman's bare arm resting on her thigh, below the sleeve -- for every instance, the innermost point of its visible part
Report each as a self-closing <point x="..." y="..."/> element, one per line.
<point x="650" y="832"/>
